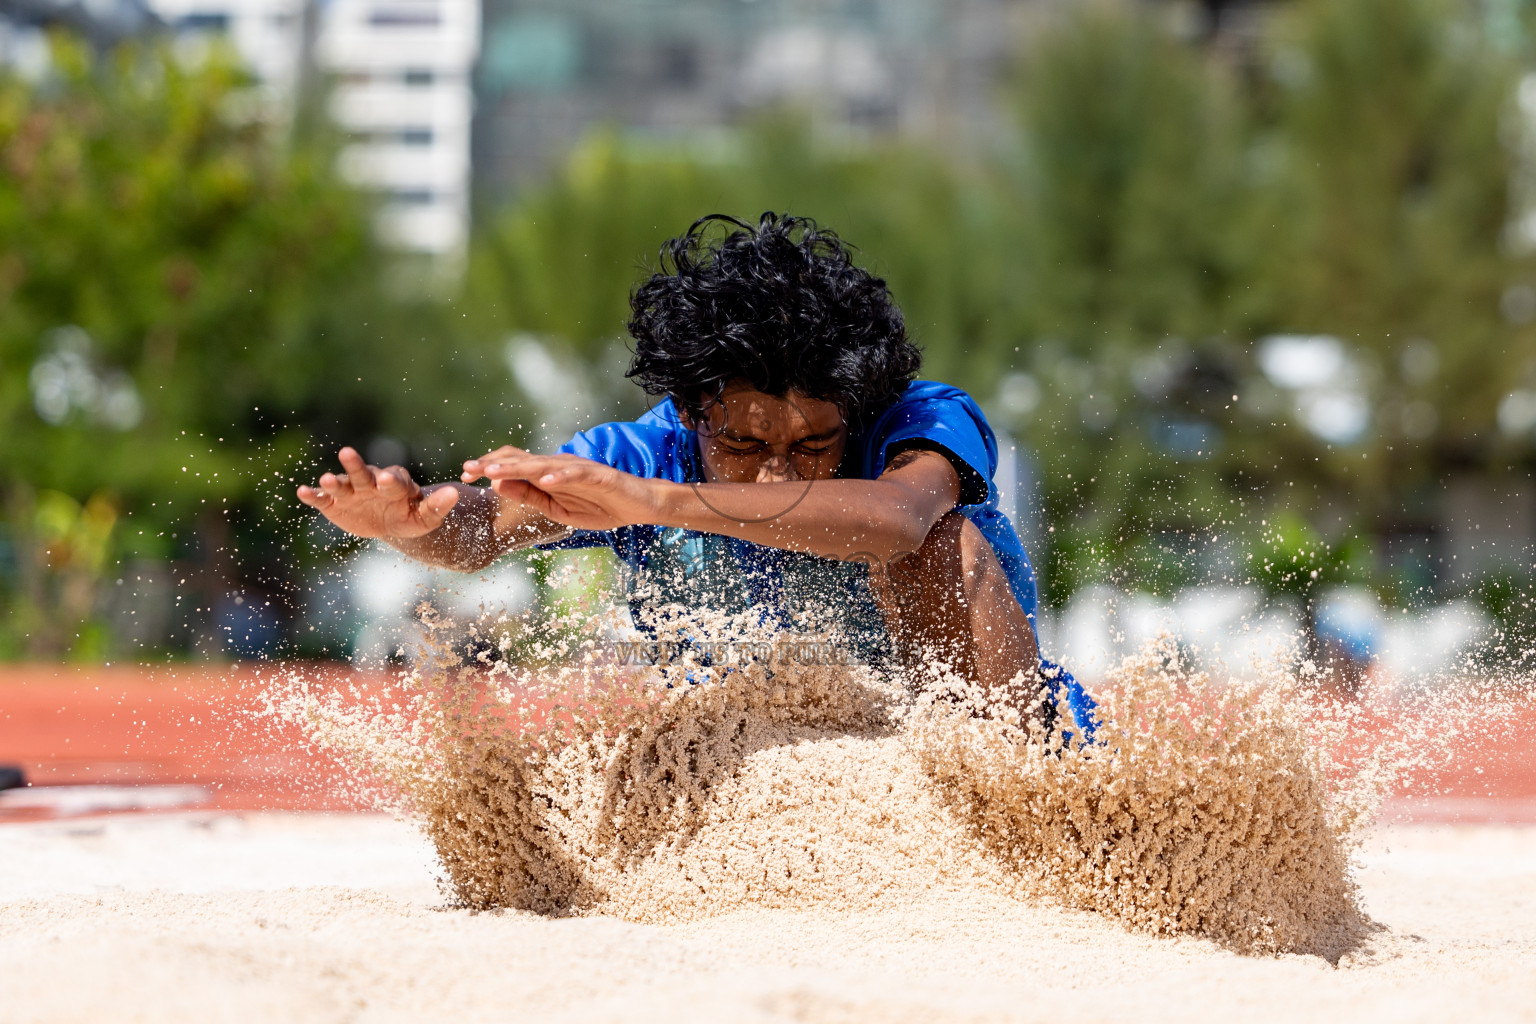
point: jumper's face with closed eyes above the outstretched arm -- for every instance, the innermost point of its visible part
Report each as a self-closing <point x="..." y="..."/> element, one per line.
<point x="755" y="438"/>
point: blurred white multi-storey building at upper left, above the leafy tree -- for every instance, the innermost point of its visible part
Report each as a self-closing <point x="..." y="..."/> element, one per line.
<point x="400" y="76"/>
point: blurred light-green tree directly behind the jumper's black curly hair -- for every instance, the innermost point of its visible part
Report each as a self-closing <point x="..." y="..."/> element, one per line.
<point x="560" y="263"/>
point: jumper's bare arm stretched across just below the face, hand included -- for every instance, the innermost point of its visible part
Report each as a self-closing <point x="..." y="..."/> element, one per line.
<point x="882" y="520"/>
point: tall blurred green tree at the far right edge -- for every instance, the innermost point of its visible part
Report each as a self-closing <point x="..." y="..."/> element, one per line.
<point x="1395" y="230"/>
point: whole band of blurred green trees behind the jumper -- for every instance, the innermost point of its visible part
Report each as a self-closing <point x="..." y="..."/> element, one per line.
<point x="193" y="309"/>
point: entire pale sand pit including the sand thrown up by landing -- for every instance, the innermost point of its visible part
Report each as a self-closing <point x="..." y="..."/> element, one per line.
<point x="795" y="845"/>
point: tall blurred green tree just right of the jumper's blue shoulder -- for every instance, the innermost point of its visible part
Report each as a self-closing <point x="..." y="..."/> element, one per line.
<point x="1130" y="202"/>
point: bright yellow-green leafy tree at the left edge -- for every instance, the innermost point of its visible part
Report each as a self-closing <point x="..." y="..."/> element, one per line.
<point x="187" y="303"/>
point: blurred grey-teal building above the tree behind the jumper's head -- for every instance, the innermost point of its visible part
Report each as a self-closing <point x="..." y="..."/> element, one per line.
<point x="661" y="70"/>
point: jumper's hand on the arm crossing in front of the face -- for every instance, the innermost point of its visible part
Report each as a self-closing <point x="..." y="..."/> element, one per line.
<point x="568" y="489"/>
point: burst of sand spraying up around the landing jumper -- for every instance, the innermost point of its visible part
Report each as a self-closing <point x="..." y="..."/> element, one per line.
<point x="700" y="787"/>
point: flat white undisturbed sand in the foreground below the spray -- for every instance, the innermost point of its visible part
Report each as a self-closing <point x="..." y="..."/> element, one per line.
<point x="211" y="917"/>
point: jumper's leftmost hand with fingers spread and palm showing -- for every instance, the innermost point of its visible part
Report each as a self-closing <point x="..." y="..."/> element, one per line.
<point x="372" y="503"/>
